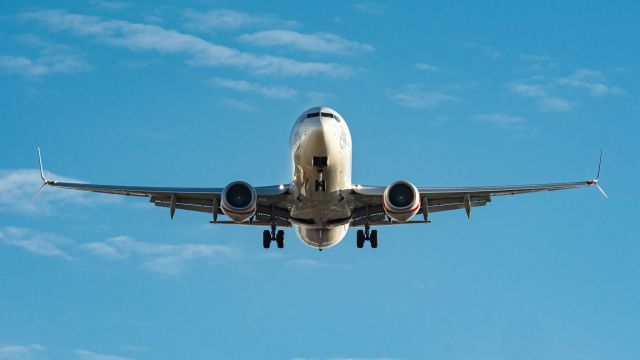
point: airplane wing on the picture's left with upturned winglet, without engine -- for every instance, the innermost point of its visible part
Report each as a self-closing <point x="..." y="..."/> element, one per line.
<point x="271" y="200"/>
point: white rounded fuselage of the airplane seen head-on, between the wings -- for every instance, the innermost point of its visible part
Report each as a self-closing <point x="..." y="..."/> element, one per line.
<point x="321" y="154"/>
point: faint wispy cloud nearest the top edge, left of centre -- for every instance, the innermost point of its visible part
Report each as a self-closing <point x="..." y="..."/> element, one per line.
<point x="225" y="19"/>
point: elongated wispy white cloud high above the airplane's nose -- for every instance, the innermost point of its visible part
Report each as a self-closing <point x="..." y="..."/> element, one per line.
<point x="314" y="43"/>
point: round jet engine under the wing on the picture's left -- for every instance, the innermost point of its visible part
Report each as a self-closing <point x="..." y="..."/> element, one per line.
<point x="239" y="201"/>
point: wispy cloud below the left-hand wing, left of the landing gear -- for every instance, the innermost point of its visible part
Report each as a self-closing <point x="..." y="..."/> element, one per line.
<point x="167" y="259"/>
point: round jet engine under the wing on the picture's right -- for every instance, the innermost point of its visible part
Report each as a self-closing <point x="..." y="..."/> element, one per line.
<point x="401" y="201"/>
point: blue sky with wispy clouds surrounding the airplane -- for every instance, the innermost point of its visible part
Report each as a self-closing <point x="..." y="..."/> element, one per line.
<point x="203" y="93"/>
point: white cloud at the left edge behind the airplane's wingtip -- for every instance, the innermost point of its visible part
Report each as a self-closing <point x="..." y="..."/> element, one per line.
<point x="18" y="187"/>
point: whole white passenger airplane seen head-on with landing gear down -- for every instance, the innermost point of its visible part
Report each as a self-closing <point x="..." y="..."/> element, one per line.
<point x="321" y="202"/>
